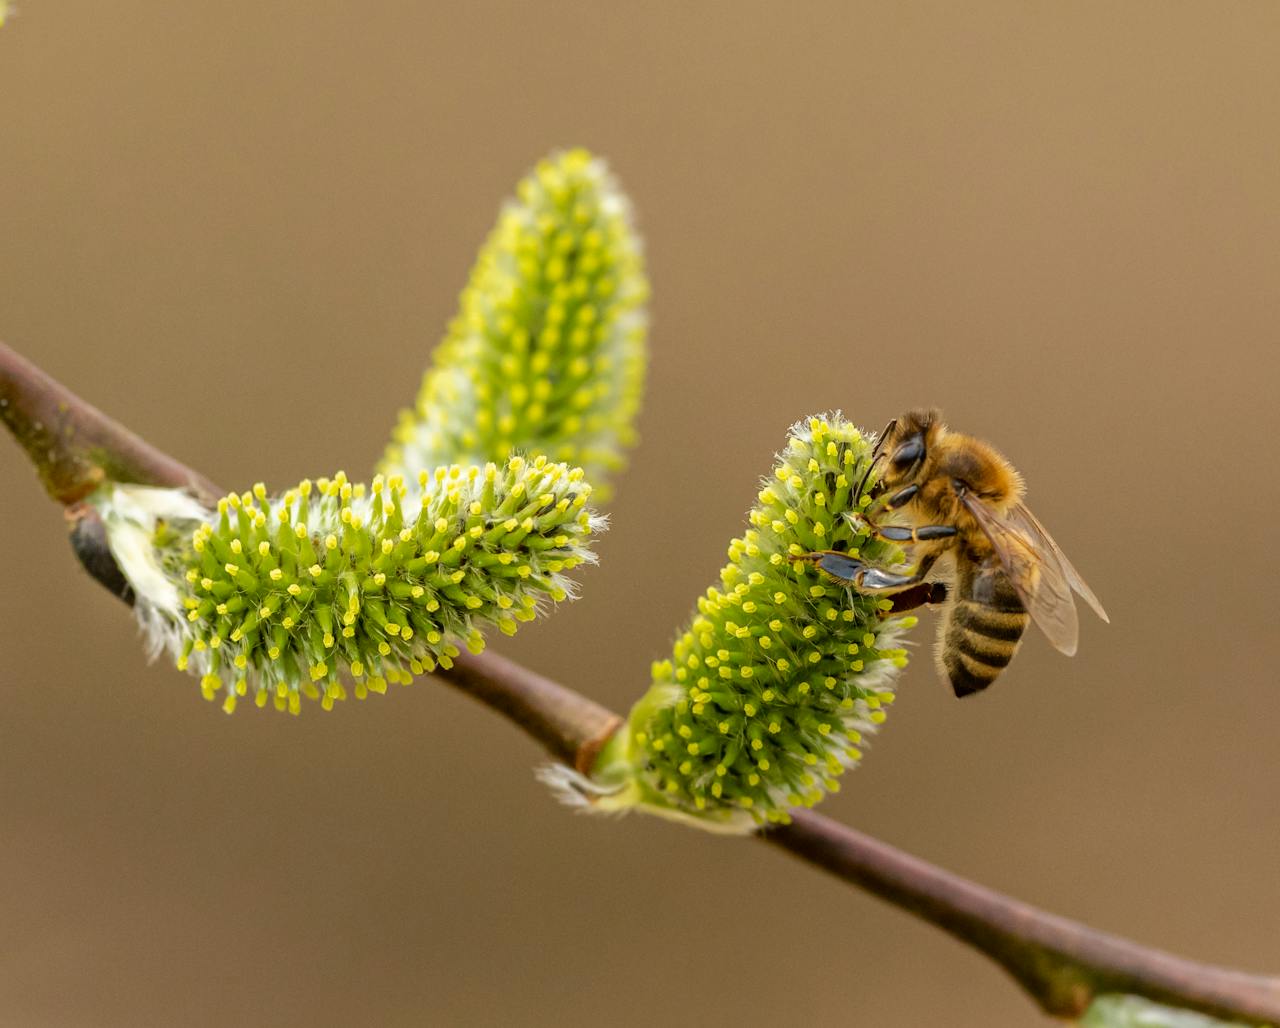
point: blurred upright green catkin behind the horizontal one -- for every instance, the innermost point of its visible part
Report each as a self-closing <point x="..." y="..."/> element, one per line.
<point x="547" y="354"/>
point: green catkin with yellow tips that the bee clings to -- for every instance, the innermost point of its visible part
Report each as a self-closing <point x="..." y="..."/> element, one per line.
<point x="783" y="673"/>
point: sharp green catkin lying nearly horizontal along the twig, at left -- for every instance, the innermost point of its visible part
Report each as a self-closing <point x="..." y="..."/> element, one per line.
<point x="291" y="597"/>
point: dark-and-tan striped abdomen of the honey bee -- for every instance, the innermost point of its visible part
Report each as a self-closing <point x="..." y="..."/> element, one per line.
<point x="984" y="628"/>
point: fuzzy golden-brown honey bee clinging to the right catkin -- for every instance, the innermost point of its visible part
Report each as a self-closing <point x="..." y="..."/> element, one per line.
<point x="966" y="504"/>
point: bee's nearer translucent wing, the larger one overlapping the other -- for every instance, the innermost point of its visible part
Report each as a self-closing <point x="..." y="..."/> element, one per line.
<point x="1034" y="568"/>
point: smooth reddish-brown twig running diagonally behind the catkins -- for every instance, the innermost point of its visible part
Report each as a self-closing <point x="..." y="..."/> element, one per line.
<point x="1060" y="963"/>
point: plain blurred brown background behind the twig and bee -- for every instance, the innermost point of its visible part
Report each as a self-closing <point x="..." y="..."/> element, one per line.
<point x="241" y="227"/>
